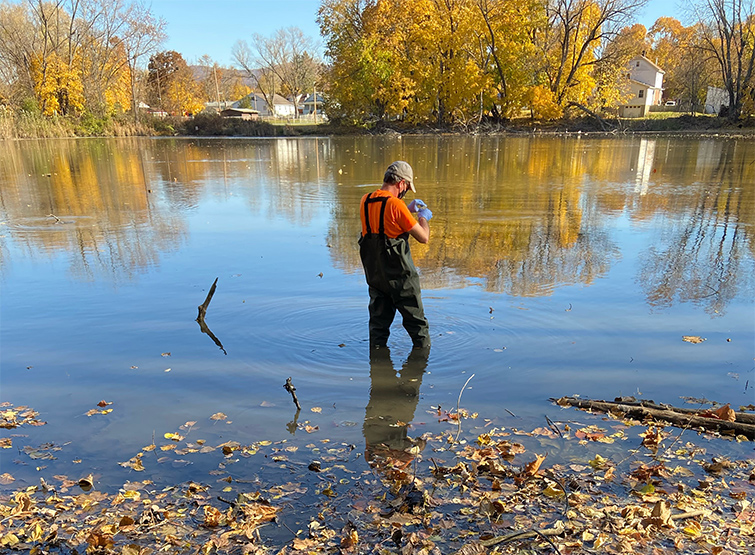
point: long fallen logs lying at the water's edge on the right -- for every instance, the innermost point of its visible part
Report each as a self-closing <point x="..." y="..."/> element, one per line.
<point x="743" y="424"/>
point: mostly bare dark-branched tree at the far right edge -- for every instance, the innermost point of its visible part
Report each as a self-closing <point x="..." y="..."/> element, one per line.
<point x="728" y="34"/>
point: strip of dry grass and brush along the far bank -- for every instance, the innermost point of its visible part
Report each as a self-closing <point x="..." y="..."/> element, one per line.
<point x="36" y="126"/>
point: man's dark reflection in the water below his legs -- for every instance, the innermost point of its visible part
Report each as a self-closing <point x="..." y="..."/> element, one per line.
<point x="393" y="400"/>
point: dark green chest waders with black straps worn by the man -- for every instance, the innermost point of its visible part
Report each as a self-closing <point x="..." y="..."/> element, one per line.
<point x="393" y="282"/>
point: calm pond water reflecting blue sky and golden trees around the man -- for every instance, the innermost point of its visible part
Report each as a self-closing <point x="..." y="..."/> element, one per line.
<point x="556" y="266"/>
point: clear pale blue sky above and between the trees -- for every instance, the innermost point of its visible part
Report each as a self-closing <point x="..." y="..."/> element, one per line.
<point x="197" y="27"/>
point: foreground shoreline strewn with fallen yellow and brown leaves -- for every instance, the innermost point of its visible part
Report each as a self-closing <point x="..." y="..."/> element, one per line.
<point x="617" y="486"/>
